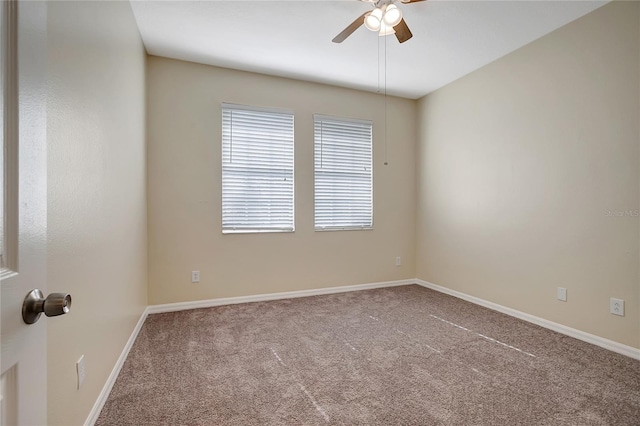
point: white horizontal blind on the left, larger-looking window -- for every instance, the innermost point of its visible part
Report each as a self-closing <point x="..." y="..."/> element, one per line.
<point x="257" y="169"/>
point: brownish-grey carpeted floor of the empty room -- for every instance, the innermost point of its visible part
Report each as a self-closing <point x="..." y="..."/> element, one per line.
<point x="393" y="356"/>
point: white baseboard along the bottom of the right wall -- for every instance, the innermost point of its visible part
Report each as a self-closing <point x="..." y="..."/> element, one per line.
<point x="563" y="329"/>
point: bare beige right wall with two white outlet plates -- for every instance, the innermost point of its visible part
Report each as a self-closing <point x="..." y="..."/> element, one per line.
<point x="518" y="163"/>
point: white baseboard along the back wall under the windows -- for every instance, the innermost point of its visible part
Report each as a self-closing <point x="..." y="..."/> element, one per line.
<point x="172" y="307"/>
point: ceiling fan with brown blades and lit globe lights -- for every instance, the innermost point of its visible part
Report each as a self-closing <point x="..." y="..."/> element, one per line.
<point x="386" y="18"/>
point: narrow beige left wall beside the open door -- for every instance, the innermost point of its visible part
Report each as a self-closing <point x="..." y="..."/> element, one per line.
<point x="96" y="193"/>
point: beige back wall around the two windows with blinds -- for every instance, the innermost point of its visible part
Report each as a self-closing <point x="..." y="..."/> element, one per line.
<point x="184" y="157"/>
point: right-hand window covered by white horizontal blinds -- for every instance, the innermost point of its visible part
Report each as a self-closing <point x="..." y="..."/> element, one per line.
<point x="343" y="173"/>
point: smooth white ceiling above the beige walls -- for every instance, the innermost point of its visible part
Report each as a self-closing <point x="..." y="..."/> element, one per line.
<point x="292" y="39"/>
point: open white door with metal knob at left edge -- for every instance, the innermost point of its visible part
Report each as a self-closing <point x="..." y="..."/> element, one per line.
<point x="24" y="225"/>
